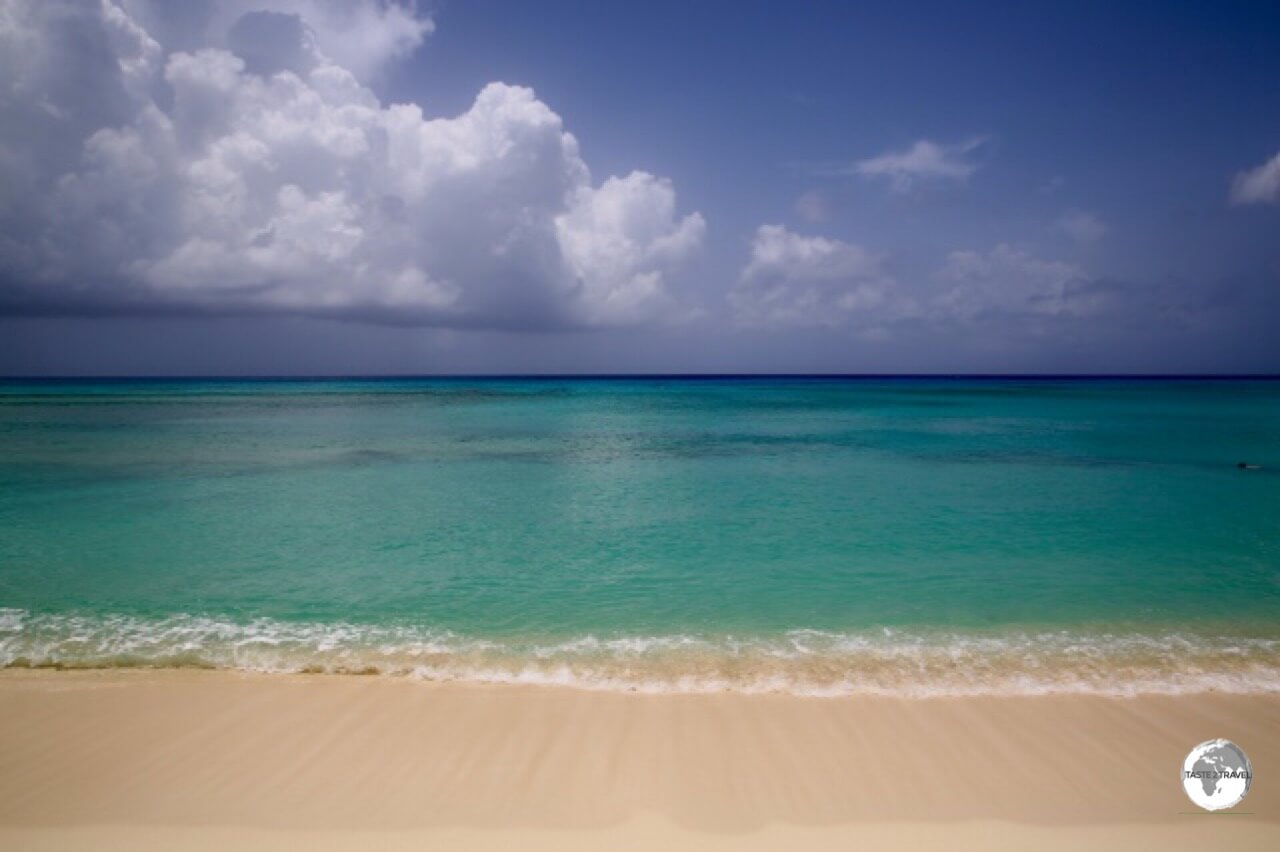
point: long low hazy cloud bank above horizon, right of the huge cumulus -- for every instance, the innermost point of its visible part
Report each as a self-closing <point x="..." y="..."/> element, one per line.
<point x="1004" y="294"/>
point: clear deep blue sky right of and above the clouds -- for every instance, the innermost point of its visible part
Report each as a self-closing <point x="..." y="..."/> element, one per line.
<point x="1139" y="113"/>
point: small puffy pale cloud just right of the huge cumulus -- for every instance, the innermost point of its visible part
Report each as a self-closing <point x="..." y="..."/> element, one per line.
<point x="799" y="281"/>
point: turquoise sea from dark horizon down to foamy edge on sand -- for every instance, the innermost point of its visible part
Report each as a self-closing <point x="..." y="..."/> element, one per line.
<point x="821" y="537"/>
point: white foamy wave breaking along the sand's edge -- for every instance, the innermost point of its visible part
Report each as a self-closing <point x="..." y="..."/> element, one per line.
<point x="801" y="662"/>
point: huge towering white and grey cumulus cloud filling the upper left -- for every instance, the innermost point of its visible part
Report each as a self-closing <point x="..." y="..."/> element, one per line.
<point x="253" y="172"/>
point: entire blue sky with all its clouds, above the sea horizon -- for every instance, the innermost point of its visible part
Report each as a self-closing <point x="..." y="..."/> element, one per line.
<point x="314" y="187"/>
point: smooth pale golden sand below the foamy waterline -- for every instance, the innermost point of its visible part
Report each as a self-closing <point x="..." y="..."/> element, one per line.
<point x="207" y="761"/>
